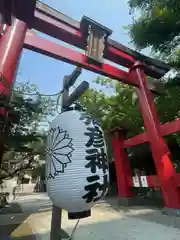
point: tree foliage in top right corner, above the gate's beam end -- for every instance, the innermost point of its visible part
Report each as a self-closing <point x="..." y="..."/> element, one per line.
<point x="158" y="27"/>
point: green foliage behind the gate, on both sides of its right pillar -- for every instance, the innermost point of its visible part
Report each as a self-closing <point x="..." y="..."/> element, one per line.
<point x="121" y="109"/>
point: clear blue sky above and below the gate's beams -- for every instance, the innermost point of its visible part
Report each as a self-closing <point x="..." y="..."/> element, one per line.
<point x="48" y="73"/>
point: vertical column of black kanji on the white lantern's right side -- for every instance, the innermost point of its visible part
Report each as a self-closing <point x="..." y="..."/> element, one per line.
<point x="96" y="160"/>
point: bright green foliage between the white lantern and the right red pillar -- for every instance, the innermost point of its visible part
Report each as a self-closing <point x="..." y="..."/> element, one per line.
<point x="119" y="109"/>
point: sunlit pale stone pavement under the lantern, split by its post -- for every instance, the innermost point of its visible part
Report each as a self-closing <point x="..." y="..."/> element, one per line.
<point x="106" y="223"/>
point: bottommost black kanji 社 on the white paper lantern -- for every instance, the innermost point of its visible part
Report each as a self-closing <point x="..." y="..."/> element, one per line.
<point x="92" y="188"/>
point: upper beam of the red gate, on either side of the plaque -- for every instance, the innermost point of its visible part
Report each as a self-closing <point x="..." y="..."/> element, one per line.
<point x="116" y="52"/>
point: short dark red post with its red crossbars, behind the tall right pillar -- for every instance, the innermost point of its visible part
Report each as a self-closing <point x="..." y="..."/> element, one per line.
<point x="125" y="187"/>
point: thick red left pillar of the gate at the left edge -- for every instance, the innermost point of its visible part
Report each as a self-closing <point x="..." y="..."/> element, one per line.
<point x="11" y="45"/>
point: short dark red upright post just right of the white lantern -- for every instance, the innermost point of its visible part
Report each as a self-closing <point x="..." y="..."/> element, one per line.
<point x="122" y="164"/>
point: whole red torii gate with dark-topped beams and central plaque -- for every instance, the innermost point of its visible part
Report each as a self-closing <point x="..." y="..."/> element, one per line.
<point x="87" y="35"/>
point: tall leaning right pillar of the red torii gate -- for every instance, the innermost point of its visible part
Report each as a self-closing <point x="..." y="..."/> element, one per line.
<point x="164" y="166"/>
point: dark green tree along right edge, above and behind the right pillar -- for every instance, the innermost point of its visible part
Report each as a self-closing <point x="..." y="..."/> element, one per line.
<point x="157" y="26"/>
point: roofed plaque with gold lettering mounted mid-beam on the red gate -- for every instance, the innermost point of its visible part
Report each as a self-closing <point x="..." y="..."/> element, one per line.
<point x="95" y="37"/>
